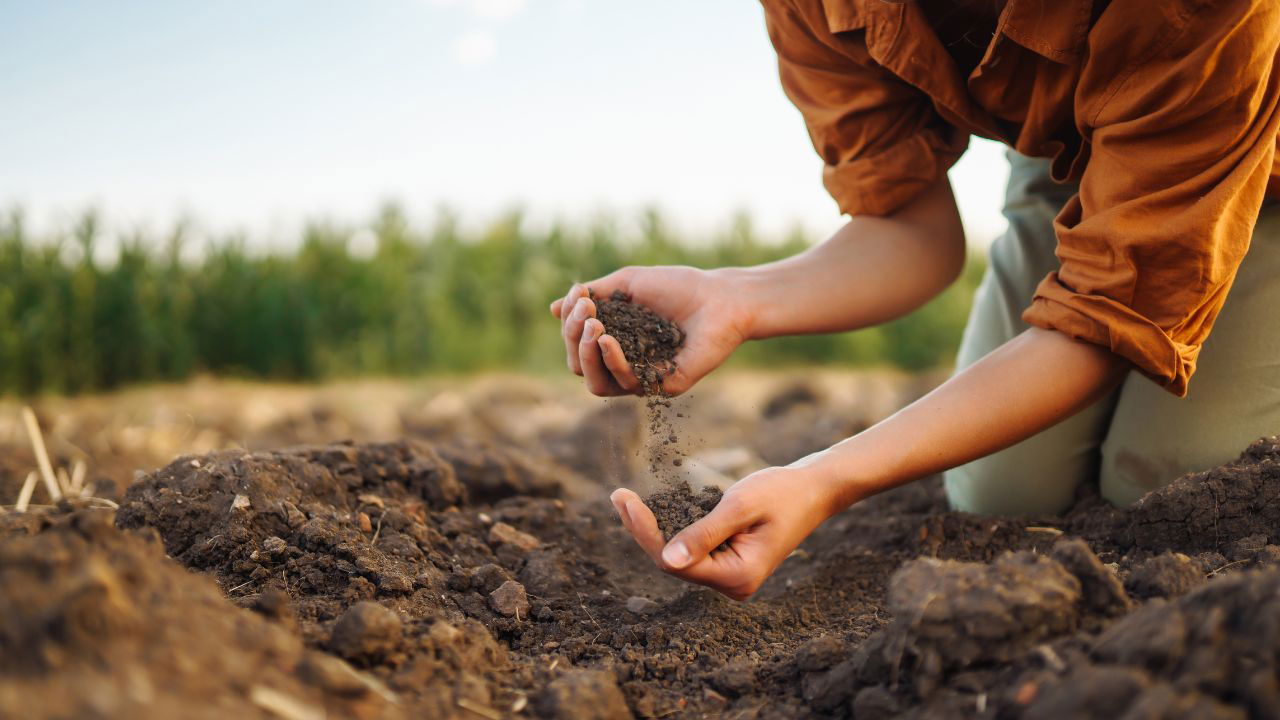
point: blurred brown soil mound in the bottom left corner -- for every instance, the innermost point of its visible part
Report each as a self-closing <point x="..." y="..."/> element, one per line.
<point x="97" y="623"/>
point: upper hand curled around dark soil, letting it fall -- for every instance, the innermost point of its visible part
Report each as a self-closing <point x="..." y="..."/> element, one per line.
<point x="707" y="306"/>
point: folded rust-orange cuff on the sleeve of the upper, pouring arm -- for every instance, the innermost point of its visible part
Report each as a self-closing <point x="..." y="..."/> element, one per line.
<point x="881" y="184"/>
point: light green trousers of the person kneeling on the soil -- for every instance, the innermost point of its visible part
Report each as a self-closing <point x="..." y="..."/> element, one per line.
<point x="1140" y="438"/>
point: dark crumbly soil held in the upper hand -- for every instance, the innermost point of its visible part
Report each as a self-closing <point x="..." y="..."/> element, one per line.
<point x="648" y="340"/>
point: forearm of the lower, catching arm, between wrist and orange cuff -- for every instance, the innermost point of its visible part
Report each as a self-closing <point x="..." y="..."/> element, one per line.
<point x="1028" y="385"/>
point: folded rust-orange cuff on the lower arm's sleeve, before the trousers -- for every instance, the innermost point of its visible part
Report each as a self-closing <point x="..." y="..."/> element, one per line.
<point x="1114" y="326"/>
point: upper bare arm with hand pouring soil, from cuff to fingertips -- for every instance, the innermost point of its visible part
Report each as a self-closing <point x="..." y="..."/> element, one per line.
<point x="872" y="271"/>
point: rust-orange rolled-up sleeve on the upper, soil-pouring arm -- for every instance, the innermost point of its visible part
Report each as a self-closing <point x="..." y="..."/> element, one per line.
<point x="880" y="139"/>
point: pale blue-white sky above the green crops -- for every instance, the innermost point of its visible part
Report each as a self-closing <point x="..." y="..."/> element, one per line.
<point x="260" y="116"/>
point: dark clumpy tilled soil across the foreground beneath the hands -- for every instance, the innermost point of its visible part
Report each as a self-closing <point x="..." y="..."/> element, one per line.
<point x="455" y="578"/>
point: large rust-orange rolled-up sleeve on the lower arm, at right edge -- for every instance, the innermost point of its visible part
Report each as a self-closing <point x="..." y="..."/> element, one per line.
<point x="1182" y="140"/>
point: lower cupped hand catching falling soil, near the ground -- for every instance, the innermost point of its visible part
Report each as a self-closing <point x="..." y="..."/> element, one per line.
<point x="762" y="520"/>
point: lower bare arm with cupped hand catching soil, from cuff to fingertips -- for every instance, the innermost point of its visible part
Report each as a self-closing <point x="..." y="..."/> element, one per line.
<point x="1035" y="381"/>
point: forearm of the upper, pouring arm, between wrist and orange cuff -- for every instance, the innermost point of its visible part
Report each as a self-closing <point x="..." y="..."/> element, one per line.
<point x="872" y="271"/>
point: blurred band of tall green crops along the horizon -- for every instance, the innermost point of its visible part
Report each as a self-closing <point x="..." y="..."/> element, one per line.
<point x="422" y="300"/>
